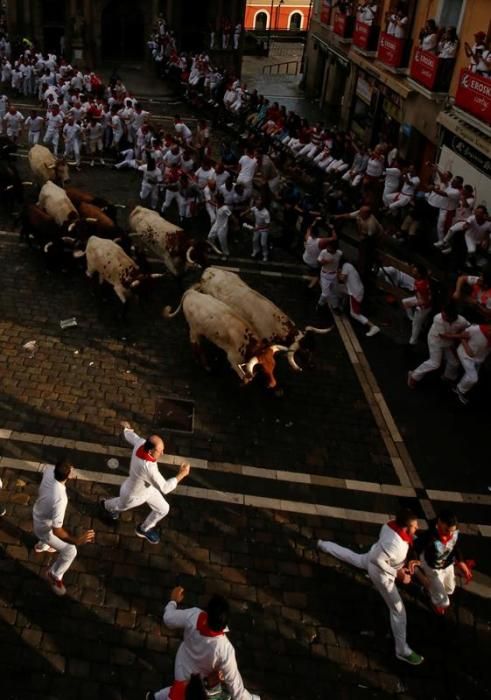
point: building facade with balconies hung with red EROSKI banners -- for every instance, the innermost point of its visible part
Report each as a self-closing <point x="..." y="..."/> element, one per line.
<point x="380" y="76"/>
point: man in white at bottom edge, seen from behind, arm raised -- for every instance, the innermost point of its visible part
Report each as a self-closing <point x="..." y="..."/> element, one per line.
<point x="205" y="647"/>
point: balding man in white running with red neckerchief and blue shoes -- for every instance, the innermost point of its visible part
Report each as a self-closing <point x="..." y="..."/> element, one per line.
<point x="145" y="484"/>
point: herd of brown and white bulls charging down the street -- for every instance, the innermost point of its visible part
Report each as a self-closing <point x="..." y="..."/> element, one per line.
<point x="67" y="224"/>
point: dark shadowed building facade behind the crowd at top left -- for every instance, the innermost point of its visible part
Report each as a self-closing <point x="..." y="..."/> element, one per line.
<point x="92" y="31"/>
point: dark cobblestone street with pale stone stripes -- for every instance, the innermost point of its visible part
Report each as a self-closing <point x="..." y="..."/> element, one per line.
<point x="270" y="475"/>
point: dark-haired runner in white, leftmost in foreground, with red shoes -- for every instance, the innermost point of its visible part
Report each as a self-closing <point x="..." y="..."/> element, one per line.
<point x="48" y="515"/>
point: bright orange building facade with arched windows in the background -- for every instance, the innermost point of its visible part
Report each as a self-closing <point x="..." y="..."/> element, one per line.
<point x="278" y="15"/>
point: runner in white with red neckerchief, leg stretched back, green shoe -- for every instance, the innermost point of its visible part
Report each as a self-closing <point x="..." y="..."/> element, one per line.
<point x="386" y="564"/>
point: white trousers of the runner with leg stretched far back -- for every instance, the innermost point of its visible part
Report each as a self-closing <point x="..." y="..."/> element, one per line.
<point x="384" y="584"/>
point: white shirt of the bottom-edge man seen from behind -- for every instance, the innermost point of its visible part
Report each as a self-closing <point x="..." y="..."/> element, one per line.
<point x="202" y="654"/>
